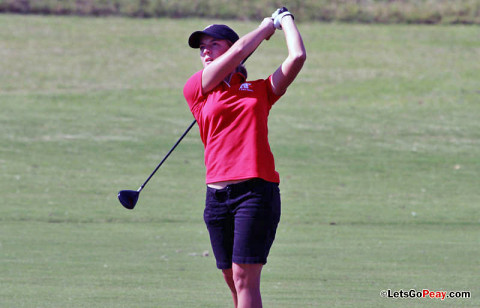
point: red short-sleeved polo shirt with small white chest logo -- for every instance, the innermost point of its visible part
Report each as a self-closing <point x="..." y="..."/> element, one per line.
<point x="232" y="119"/>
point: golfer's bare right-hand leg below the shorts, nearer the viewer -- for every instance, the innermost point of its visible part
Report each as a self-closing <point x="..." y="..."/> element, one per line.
<point x="247" y="284"/>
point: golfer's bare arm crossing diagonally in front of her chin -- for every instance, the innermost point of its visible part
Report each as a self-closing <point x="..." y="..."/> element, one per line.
<point x="214" y="73"/>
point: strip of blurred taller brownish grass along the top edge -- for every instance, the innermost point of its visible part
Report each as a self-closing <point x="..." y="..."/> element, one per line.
<point x="364" y="11"/>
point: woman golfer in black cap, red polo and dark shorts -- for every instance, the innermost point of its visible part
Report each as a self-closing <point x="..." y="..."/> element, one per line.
<point x="243" y="199"/>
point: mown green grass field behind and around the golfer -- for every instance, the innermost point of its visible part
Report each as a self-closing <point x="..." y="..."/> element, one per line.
<point x="377" y="145"/>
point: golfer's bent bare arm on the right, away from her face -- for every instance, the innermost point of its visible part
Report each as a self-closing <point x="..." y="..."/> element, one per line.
<point x="297" y="55"/>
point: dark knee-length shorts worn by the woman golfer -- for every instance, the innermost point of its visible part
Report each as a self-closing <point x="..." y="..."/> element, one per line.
<point x="242" y="220"/>
